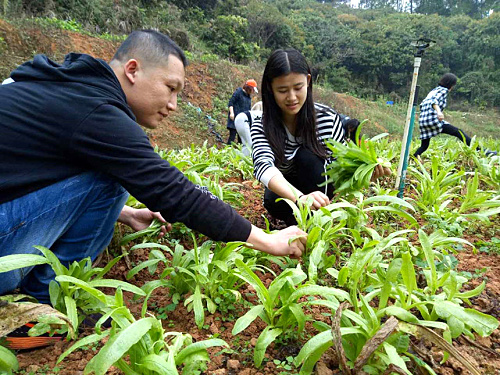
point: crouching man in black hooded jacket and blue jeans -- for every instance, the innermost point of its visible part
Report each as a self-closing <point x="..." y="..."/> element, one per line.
<point x="72" y="150"/>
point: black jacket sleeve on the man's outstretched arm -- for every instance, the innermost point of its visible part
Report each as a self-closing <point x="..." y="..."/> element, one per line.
<point x="110" y="142"/>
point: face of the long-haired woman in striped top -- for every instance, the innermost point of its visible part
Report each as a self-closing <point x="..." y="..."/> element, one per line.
<point x="290" y="92"/>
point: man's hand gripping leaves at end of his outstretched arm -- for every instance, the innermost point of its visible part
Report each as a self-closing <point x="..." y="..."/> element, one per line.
<point x="277" y="243"/>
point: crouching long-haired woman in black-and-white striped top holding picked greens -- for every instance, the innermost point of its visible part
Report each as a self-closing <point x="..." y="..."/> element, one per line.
<point x="289" y="150"/>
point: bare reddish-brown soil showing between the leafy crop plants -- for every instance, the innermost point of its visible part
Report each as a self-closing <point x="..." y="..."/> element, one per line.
<point x="483" y="352"/>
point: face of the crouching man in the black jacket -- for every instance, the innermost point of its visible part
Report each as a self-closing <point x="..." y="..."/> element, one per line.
<point x="154" y="90"/>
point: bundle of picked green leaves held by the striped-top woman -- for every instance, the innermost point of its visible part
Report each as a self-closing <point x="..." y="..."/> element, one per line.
<point x="353" y="167"/>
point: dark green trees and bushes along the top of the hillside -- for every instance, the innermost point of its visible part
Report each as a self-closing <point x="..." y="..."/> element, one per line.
<point x="363" y="51"/>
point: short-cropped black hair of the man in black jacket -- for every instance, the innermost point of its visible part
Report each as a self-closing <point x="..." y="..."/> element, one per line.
<point x="149" y="46"/>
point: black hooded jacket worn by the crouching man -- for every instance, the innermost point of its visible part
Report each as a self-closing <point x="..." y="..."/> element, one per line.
<point x="57" y="121"/>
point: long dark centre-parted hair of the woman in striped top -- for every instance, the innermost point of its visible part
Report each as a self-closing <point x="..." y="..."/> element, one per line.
<point x="280" y="63"/>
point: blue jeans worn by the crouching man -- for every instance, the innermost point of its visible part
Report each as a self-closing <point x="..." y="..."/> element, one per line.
<point x="74" y="218"/>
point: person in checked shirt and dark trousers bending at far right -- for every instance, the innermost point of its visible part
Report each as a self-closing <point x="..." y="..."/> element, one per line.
<point x="431" y="120"/>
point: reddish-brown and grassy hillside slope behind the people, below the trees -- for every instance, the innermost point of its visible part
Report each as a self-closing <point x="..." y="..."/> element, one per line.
<point x="208" y="87"/>
